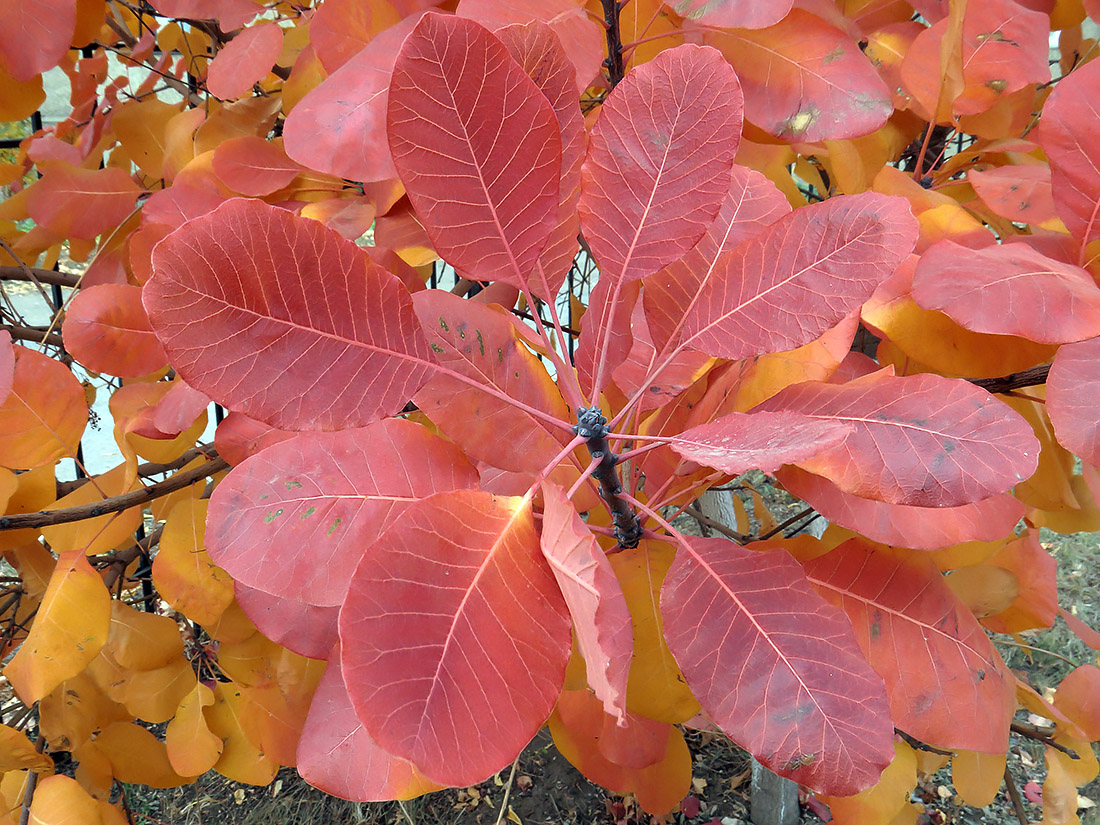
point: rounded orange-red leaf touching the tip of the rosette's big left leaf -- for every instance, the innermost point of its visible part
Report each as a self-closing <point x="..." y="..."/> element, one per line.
<point x="107" y="331"/>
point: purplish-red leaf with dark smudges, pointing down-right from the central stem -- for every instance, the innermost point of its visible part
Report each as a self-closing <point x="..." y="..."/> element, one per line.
<point x="812" y="710"/>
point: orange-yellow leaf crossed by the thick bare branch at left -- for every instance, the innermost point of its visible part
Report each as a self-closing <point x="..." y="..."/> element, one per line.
<point x="104" y="533"/>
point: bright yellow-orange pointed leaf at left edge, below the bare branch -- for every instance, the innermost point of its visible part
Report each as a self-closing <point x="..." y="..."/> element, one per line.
<point x="69" y="632"/>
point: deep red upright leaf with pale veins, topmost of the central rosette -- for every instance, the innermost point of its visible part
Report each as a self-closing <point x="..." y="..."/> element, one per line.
<point x="488" y="196"/>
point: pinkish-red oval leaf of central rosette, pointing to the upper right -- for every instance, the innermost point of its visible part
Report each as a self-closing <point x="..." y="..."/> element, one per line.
<point x="800" y="277"/>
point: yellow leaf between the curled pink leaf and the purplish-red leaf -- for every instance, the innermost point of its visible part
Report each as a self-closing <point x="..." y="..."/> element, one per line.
<point x="656" y="688"/>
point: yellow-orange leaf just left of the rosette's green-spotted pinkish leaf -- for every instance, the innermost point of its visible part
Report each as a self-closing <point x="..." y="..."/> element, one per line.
<point x="183" y="573"/>
